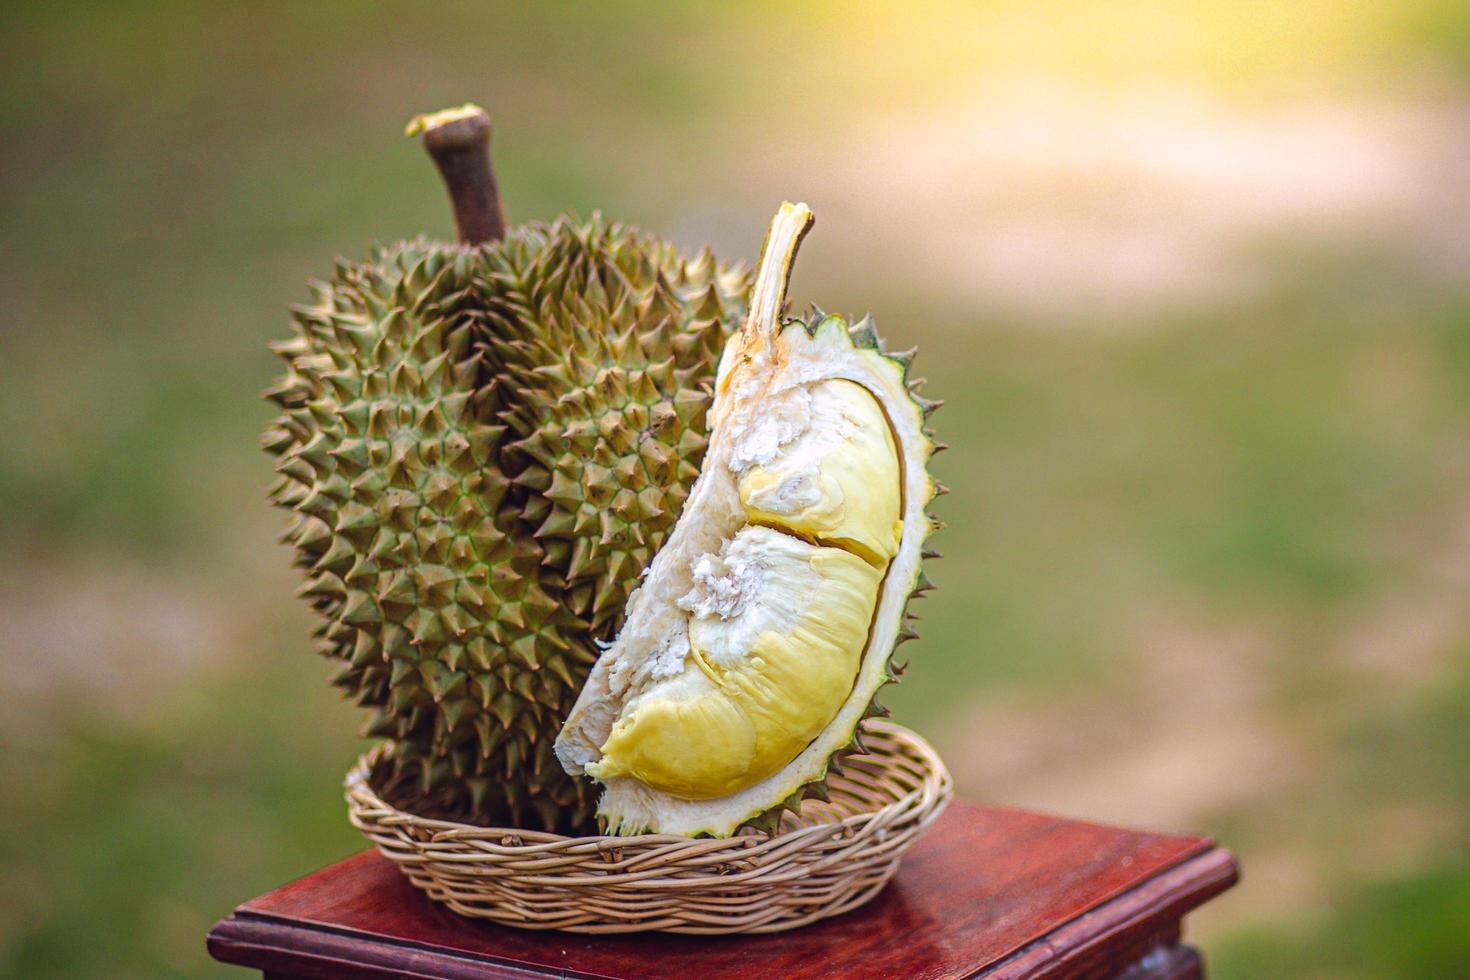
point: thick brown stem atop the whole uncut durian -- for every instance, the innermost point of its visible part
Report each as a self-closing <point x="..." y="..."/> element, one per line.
<point x="459" y="143"/>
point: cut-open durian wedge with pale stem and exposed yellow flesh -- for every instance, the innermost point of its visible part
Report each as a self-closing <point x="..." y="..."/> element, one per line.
<point x="767" y="624"/>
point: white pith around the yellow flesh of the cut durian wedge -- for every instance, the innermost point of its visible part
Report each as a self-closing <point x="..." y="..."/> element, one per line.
<point x="764" y="408"/>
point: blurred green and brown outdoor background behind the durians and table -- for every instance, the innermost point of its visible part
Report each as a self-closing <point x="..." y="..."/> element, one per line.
<point x="1194" y="281"/>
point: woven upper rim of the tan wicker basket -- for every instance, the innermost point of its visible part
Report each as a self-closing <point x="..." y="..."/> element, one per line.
<point x="359" y="785"/>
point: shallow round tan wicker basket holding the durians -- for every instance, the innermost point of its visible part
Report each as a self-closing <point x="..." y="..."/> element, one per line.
<point x="830" y="859"/>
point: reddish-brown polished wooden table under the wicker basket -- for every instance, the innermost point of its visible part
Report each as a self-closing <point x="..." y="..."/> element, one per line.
<point x="989" y="893"/>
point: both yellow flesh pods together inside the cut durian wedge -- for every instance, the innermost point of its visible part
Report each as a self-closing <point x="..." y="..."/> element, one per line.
<point x="780" y="619"/>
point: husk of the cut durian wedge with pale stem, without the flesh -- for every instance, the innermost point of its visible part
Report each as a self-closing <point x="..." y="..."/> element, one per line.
<point x="815" y="349"/>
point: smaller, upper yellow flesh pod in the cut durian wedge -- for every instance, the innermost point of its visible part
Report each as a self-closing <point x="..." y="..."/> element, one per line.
<point x="839" y="483"/>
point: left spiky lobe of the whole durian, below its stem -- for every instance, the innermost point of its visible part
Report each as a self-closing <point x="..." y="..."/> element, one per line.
<point x="439" y="609"/>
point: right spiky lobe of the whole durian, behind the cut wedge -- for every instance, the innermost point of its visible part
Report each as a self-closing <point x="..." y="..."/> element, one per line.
<point x="609" y="343"/>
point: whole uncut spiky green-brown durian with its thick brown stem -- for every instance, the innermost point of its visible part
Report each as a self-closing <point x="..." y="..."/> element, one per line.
<point x="484" y="443"/>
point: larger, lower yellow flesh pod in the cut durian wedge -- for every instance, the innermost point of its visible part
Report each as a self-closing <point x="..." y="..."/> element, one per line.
<point x="775" y="638"/>
